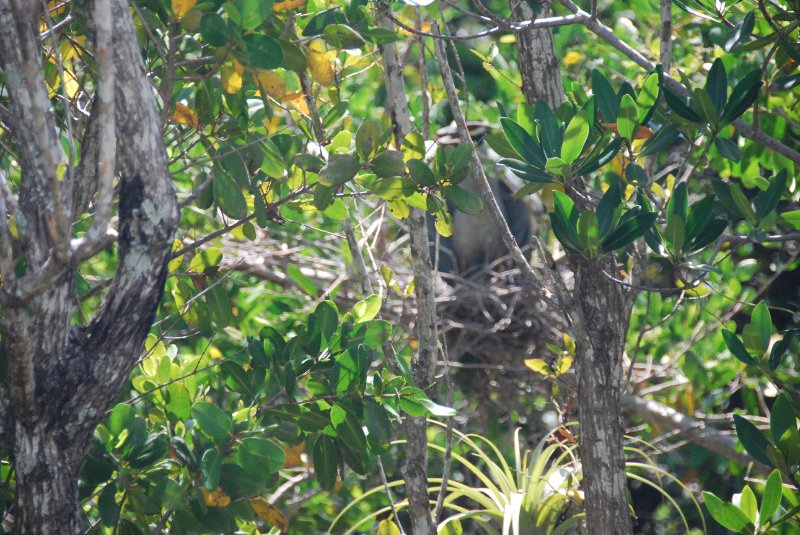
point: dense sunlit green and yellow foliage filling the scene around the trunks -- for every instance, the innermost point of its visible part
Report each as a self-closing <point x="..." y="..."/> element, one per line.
<point x="270" y="393"/>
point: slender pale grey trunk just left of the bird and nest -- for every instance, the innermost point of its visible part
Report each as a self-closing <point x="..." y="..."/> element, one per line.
<point x="423" y="364"/>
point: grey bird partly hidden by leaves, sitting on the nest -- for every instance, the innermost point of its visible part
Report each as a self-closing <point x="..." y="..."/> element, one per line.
<point x="476" y="243"/>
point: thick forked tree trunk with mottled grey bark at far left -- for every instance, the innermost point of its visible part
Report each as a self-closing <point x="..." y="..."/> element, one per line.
<point x="63" y="378"/>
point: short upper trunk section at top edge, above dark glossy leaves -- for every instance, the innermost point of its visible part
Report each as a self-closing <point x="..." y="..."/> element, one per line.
<point x="538" y="65"/>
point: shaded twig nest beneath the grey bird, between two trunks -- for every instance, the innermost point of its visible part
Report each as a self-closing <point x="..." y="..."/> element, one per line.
<point x="490" y="325"/>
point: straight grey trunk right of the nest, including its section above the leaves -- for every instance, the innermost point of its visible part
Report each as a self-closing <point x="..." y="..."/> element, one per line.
<point x="600" y="316"/>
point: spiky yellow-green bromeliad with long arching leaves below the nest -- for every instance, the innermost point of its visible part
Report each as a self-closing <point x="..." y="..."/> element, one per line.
<point x="538" y="495"/>
